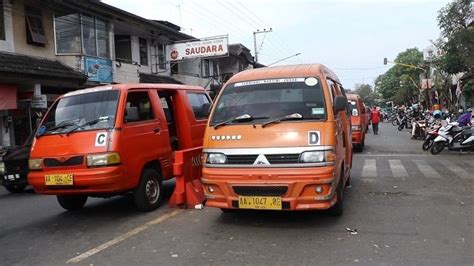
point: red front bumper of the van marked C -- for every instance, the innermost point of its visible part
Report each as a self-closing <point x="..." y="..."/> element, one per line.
<point x="90" y="181"/>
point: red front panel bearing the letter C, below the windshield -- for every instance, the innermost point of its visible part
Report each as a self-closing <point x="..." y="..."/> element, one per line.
<point x="75" y="143"/>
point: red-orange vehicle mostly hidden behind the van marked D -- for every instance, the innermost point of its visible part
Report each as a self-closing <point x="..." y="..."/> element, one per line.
<point x="359" y="118"/>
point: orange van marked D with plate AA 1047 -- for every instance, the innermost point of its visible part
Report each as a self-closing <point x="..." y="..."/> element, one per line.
<point x="279" y="138"/>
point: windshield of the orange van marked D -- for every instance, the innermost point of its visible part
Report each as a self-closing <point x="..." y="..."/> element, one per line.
<point x="271" y="99"/>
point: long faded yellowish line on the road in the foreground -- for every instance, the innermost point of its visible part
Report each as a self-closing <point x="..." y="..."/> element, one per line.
<point x="121" y="238"/>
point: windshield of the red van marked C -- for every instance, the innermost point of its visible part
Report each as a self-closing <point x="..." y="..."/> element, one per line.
<point x="82" y="109"/>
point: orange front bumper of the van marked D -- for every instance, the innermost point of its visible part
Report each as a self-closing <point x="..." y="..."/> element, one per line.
<point x="300" y="184"/>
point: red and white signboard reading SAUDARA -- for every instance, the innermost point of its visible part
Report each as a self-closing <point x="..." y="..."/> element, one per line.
<point x="195" y="49"/>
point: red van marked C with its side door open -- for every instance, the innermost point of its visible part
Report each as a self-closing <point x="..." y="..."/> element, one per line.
<point x="122" y="141"/>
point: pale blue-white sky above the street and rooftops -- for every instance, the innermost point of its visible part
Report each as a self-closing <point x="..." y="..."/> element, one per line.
<point x="349" y="36"/>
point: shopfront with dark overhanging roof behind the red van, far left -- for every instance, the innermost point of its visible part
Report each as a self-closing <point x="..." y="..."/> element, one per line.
<point x="28" y="86"/>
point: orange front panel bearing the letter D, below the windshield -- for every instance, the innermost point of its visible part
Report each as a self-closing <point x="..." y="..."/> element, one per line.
<point x="273" y="135"/>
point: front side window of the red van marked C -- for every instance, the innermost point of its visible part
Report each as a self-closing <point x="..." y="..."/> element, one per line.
<point x="138" y="107"/>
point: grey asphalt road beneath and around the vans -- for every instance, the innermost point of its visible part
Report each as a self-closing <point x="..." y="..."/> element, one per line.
<point x="407" y="206"/>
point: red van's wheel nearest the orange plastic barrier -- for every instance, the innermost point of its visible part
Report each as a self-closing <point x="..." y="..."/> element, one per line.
<point x="148" y="195"/>
